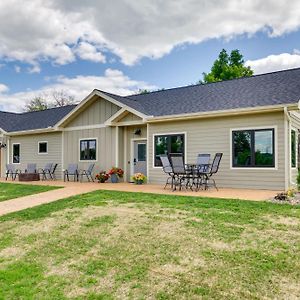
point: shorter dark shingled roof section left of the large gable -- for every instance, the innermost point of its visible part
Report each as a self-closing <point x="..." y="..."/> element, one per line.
<point x="33" y="120"/>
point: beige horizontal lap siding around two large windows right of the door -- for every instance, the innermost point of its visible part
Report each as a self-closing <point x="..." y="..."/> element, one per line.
<point x="213" y="135"/>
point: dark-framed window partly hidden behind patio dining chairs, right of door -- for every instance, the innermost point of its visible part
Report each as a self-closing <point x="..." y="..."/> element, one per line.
<point x="166" y="144"/>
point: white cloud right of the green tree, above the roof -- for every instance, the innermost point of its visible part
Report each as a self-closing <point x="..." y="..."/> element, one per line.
<point x="275" y="62"/>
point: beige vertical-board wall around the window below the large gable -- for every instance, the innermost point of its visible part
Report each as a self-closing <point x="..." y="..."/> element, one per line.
<point x="106" y="147"/>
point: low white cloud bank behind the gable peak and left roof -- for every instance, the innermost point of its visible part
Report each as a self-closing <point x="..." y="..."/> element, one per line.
<point x="113" y="81"/>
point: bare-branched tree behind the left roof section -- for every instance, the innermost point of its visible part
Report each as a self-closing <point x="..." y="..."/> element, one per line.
<point x="55" y="98"/>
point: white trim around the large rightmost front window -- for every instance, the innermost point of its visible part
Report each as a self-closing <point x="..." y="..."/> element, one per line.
<point x="255" y="128"/>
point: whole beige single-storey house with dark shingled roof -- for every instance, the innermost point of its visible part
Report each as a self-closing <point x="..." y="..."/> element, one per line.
<point x="254" y="121"/>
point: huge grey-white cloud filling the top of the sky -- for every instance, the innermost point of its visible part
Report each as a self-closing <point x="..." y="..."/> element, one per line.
<point x="53" y="29"/>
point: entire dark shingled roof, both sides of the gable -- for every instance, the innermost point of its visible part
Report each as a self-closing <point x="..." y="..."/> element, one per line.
<point x="282" y="87"/>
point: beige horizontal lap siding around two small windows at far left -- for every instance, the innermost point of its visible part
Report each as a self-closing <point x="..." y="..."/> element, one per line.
<point x="29" y="150"/>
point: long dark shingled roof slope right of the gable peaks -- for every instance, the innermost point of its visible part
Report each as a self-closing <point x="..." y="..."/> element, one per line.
<point x="282" y="87"/>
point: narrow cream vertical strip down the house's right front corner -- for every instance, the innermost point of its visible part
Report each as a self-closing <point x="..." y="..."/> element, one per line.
<point x="287" y="130"/>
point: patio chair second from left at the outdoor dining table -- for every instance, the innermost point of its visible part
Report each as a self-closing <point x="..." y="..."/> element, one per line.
<point x="182" y="174"/>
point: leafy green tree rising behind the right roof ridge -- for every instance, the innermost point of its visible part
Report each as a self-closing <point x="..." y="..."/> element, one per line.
<point x="227" y="67"/>
